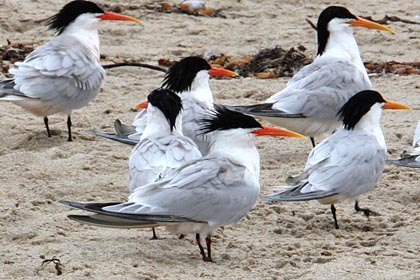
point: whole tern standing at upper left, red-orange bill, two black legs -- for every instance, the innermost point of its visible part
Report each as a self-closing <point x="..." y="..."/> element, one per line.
<point x="64" y="74"/>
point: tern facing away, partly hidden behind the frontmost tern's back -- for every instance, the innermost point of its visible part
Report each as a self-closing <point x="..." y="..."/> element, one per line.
<point x="162" y="147"/>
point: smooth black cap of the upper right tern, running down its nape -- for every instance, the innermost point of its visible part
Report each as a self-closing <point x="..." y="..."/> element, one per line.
<point x="325" y="17"/>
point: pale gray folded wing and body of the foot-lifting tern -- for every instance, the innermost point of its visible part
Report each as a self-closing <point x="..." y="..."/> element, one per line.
<point x="341" y="165"/>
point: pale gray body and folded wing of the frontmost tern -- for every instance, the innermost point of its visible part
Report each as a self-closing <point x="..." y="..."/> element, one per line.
<point x="211" y="189"/>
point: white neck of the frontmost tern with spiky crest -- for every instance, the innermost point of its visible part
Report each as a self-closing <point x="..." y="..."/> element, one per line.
<point x="238" y="146"/>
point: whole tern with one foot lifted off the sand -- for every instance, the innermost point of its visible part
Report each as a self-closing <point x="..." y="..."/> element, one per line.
<point x="349" y="162"/>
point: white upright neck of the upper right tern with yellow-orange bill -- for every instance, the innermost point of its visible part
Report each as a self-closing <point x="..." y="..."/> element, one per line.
<point x="342" y="45"/>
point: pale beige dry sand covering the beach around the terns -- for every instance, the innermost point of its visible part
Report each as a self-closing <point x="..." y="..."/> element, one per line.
<point x="275" y="241"/>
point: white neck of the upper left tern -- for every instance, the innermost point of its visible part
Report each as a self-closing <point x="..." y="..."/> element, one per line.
<point x="85" y="30"/>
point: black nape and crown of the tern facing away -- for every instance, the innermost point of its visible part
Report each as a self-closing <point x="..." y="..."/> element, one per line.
<point x="168" y="102"/>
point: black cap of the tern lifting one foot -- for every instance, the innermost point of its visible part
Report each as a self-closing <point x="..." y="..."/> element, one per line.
<point x="357" y="106"/>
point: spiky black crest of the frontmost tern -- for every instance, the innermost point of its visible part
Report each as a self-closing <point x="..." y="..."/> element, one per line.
<point x="223" y="119"/>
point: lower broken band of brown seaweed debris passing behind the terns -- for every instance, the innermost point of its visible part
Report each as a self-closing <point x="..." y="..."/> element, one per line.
<point x="266" y="64"/>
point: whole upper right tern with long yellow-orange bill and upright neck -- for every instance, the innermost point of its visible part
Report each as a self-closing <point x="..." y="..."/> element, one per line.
<point x="314" y="95"/>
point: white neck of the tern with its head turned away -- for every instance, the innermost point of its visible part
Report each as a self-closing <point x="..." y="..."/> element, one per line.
<point x="158" y="125"/>
